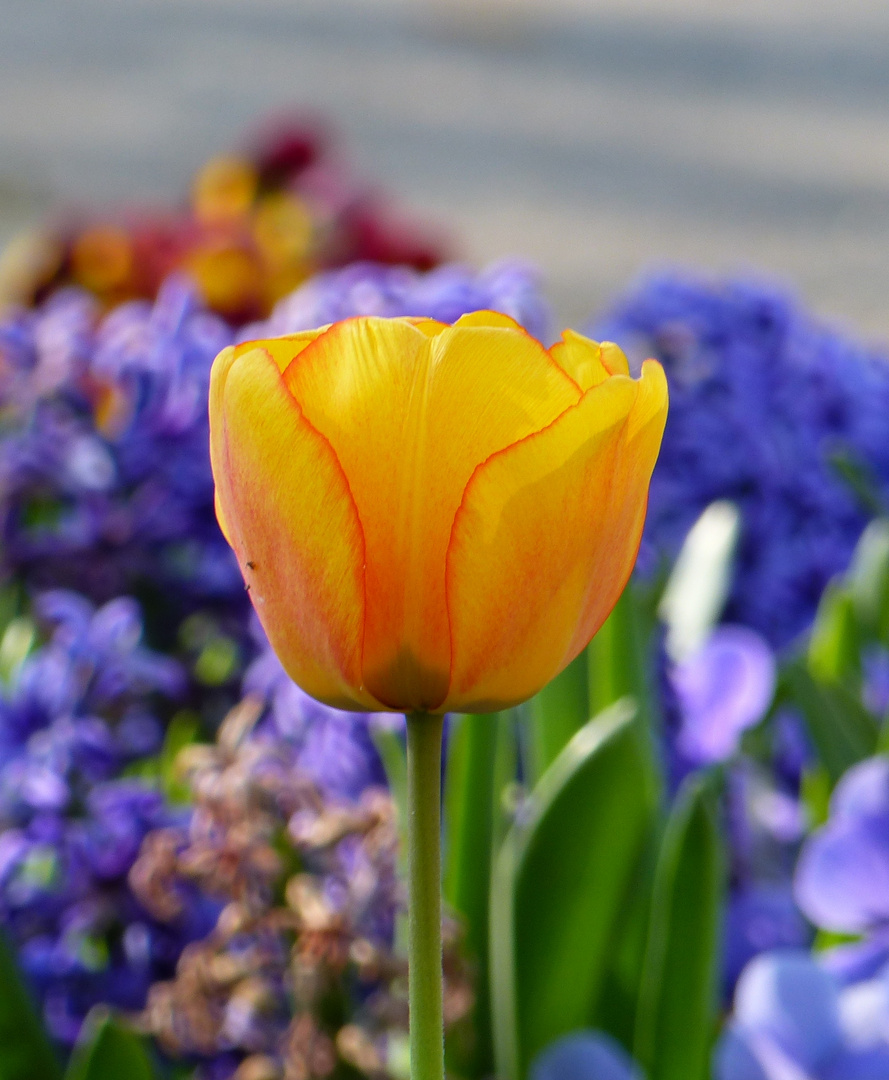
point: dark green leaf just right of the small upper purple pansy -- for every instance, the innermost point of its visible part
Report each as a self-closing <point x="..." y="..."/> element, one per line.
<point x="842" y="730"/>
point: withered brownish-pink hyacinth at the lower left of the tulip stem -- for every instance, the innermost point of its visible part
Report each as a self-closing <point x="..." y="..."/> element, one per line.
<point x="301" y="976"/>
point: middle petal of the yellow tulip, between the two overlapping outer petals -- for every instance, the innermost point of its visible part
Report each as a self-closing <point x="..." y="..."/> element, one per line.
<point x="410" y="416"/>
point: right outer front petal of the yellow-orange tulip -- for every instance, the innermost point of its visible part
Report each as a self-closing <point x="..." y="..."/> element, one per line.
<point x="545" y="542"/>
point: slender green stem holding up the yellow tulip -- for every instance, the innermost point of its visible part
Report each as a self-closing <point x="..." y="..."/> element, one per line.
<point x="425" y="896"/>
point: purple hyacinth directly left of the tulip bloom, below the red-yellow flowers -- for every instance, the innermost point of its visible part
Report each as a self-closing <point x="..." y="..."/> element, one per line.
<point x="104" y="463"/>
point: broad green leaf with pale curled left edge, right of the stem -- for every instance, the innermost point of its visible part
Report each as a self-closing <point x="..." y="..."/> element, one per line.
<point x="561" y="882"/>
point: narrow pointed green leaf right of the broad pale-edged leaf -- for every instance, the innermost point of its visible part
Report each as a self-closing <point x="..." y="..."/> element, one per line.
<point x="677" y="1019"/>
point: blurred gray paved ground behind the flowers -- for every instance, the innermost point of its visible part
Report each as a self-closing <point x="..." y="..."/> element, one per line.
<point x="595" y="138"/>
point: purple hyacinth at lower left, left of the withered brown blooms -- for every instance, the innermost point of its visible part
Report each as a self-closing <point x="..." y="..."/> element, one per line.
<point x="78" y="711"/>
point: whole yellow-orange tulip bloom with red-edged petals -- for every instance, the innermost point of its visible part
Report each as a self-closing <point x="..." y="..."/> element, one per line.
<point x="433" y="518"/>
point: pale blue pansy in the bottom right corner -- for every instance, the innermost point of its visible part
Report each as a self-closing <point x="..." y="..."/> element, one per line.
<point x="793" y="1022"/>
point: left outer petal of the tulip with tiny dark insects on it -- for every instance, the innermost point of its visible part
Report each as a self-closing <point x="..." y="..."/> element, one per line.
<point x="275" y="474"/>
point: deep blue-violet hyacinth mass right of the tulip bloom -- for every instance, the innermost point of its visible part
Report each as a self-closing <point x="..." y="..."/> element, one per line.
<point x="769" y="409"/>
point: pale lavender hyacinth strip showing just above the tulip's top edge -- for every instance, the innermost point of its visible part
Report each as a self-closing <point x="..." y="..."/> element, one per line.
<point x="368" y="289"/>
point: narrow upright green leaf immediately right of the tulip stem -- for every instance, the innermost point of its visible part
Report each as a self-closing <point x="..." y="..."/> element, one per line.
<point x="479" y="766"/>
